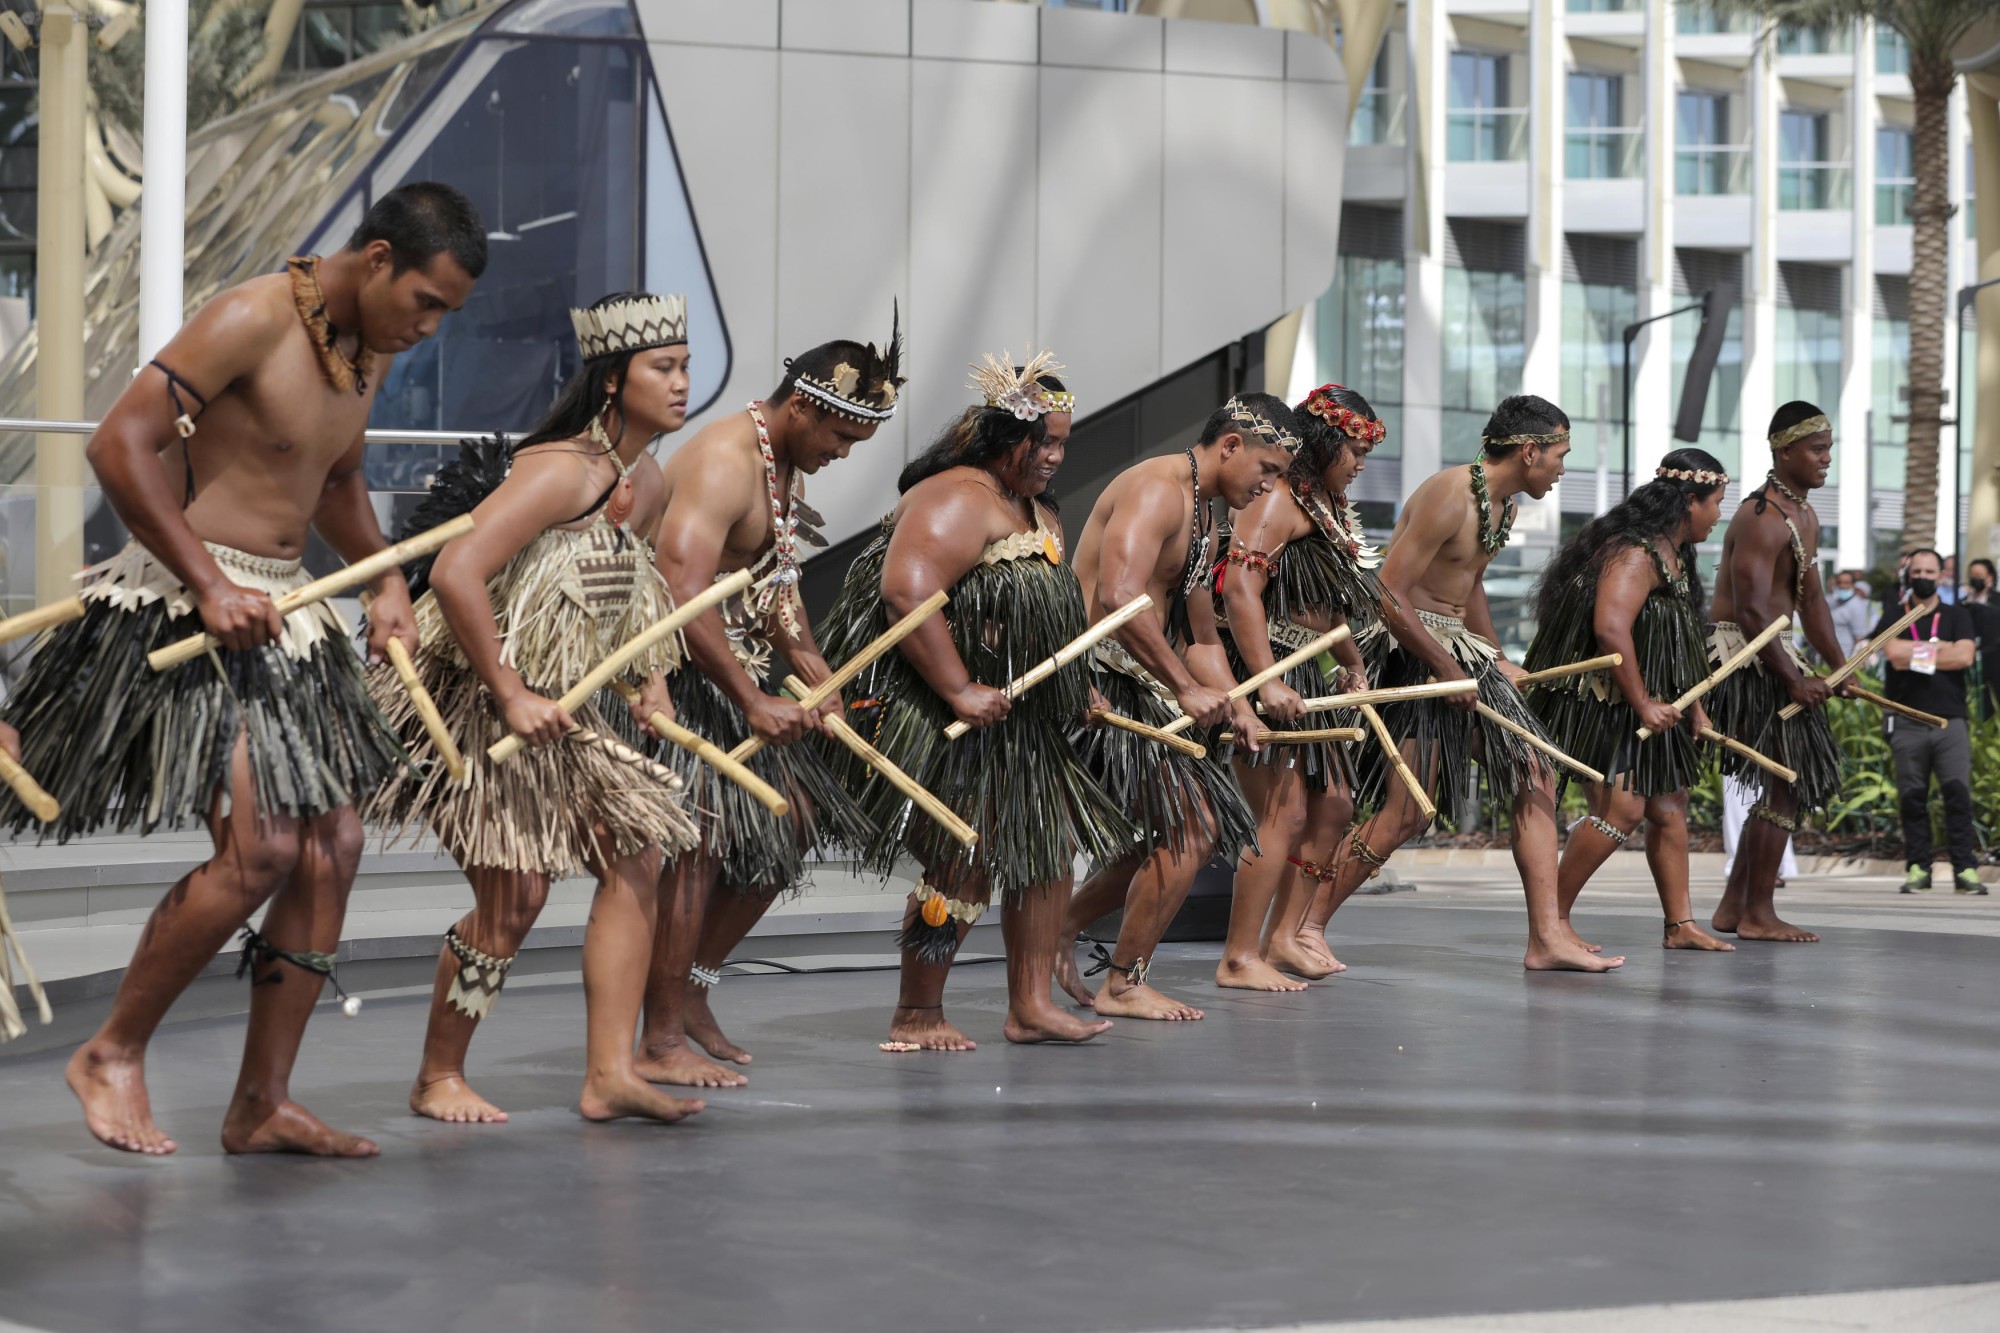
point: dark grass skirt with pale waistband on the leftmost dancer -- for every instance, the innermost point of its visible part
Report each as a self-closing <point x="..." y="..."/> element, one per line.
<point x="125" y="748"/>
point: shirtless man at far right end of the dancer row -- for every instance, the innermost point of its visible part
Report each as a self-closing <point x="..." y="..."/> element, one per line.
<point x="1771" y="567"/>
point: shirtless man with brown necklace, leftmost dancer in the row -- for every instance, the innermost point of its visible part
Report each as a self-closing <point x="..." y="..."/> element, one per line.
<point x="271" y="385"/>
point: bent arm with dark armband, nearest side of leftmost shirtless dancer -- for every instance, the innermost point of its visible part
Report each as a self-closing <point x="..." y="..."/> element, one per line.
<point x="219" y="347"/>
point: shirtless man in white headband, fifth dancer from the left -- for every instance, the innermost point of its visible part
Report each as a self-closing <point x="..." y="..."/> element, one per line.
<point x="1153" y="531"/>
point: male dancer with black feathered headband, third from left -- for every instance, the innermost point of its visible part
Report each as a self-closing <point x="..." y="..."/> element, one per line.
<point x="735" y="499"/>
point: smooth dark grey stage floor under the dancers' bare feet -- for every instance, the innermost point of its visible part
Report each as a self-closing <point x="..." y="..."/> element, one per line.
<point x="1433" y="1134"/>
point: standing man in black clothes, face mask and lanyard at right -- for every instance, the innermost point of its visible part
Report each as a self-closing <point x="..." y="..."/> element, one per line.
<point x="1927" y="670"/>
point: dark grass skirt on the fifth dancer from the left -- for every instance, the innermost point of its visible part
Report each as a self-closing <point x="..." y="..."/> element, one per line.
<point x="1167" y="794"/>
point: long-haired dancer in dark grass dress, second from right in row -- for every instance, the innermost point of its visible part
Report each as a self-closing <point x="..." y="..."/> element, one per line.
<point x="1627" y="585"/>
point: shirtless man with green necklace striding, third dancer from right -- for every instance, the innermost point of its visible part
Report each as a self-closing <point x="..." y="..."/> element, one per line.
<point x="1443" y="627"/>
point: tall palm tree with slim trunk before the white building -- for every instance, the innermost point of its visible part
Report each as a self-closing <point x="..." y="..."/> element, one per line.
<point x="1933" y="33"/>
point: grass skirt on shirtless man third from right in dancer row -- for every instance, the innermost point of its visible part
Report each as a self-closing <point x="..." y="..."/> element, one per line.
<point x="1449" y="740"/>
